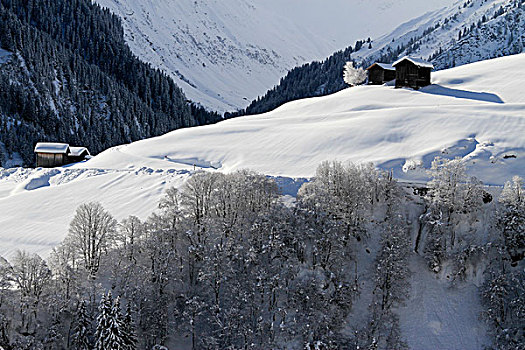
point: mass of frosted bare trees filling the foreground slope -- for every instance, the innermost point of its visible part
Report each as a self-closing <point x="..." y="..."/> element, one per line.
<point x="224" y="263"/>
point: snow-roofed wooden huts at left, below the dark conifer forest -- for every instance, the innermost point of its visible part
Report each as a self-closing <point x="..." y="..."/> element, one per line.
<point x="52" y="154"/>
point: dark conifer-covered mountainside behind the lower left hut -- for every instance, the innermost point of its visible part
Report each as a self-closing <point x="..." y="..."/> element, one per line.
<point x="66" y="74"/>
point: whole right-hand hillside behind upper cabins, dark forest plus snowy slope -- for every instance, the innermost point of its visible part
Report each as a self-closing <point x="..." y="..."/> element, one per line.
<point x="466" y="32"/>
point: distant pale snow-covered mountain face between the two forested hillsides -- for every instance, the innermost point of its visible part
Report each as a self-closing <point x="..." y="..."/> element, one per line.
<point x="225" y="53"/>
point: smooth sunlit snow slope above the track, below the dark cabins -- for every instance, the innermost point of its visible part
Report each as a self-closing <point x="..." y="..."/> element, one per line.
<point x="475" y="111"/>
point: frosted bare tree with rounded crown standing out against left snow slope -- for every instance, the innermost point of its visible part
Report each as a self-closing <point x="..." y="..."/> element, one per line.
<point x="91" y="232"/>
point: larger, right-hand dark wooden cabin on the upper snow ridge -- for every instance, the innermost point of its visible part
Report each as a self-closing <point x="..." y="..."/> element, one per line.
<point x="412" y="72"/>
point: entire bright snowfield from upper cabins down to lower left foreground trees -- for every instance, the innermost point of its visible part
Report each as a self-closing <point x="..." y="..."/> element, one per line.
<point x="474" y="111"/>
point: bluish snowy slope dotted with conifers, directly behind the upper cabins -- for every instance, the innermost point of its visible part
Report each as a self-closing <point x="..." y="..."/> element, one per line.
<point x="465" y="32"/>
